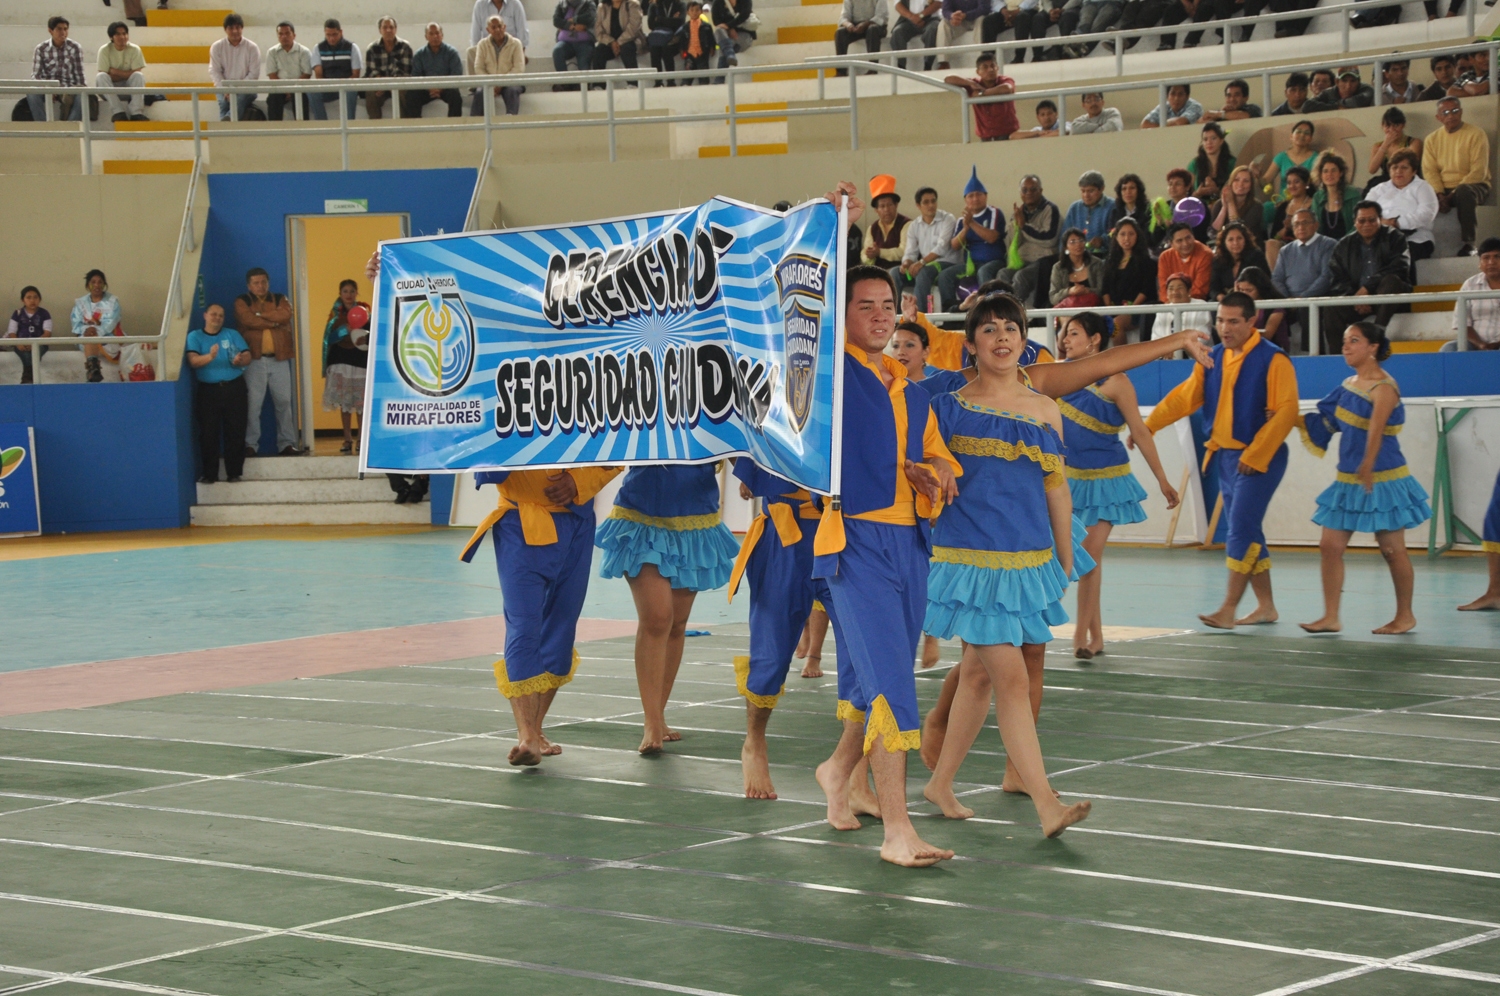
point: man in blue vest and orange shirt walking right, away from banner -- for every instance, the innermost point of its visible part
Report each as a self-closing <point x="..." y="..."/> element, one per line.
<point x="1253" y="395"/>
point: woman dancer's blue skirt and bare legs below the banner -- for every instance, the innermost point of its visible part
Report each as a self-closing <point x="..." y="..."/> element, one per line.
<point x="668" y="539"/>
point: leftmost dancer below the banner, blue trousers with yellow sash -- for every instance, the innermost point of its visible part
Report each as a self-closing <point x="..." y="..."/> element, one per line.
<point x="544" y="527"/>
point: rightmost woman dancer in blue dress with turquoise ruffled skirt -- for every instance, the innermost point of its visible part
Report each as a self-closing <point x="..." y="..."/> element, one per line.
<point x="1375" y="491"/>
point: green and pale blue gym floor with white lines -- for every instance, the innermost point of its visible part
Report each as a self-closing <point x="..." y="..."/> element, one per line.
<point x="1273" y="814"/>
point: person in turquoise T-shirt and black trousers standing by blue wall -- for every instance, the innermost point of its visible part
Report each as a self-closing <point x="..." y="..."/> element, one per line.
<point x="218" y="358"/>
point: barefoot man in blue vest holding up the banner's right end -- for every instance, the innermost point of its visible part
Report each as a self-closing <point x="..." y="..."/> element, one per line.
<point x="872" y="554"/>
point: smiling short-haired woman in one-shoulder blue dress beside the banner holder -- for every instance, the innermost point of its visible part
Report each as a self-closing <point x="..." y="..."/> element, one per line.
<point x="1003" y="554"/>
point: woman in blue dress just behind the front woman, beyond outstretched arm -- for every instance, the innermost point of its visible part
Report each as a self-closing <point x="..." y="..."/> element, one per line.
<point x="1105" y="491"/>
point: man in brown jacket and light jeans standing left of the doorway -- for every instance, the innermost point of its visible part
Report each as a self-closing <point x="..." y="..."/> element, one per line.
<point x="268" y="323"/>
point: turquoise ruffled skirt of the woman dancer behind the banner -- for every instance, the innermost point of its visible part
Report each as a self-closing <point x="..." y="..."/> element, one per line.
<point x="698" y="560"/>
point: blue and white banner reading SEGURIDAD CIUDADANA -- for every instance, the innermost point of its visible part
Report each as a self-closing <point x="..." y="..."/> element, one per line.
<point x="674" y="338"/>
